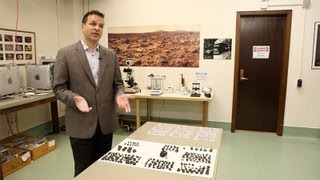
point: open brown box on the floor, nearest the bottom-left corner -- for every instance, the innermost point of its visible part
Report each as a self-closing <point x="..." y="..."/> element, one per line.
<point x="17" y="159"/>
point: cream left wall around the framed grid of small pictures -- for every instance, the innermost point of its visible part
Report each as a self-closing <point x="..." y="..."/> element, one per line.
<point x="38" y="16"/>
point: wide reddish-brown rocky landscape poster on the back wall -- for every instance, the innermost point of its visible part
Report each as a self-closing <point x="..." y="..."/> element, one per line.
<point x="158" y="48"/>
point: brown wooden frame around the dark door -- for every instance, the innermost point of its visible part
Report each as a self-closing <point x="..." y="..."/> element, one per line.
<point x="284" y="70"/>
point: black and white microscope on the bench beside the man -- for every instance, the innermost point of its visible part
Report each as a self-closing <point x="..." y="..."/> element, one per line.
<point x="131" y="87"/>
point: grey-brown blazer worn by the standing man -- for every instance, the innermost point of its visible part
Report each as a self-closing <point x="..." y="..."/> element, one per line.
<point x="72" y="76"/>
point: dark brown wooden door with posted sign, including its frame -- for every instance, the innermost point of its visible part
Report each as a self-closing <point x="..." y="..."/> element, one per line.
<point x="261" y="65"/>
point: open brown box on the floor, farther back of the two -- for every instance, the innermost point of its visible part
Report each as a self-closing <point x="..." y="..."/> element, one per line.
<point x="37" y="146"/>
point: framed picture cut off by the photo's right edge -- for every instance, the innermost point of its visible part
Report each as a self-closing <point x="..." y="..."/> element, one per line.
<point x="316" y="47"/>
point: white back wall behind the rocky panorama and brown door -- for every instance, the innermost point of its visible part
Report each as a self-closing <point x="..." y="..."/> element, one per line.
<point x="218" y="19"/>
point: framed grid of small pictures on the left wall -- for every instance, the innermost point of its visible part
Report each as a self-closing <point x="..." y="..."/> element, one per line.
<point x="17" y="47"/>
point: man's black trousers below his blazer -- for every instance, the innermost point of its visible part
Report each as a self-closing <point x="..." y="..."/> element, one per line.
<point x="87" y="151"/>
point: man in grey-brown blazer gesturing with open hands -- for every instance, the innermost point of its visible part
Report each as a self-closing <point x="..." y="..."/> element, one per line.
<point x="88" y="80"/>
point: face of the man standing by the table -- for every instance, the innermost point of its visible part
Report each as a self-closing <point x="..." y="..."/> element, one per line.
<point x="93" y="28"/>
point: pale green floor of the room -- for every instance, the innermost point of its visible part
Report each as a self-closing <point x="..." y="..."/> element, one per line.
<point x="243" y="156"/>
